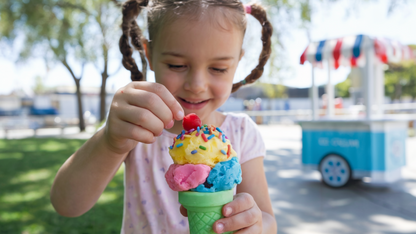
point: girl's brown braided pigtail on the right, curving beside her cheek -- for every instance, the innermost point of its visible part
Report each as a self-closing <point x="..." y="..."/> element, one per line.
<point x="258" y="12"/>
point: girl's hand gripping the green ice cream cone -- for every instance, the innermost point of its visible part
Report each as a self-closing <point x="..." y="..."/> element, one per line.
<point x="241" y="215"/>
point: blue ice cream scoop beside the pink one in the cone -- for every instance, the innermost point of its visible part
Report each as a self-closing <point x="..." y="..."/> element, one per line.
<point x="224" y="176"/>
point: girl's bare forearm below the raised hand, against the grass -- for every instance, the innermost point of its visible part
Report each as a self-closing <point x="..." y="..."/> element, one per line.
<point x="84" y="176"/>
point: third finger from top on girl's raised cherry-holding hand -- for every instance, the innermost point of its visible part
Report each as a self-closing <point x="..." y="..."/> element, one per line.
<point x="141" y="117"/>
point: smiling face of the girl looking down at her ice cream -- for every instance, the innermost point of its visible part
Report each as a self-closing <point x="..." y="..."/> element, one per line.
<point x="196" y="61"/>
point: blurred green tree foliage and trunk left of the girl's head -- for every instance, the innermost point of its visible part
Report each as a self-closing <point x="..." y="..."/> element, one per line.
<point x="70" y="32"/>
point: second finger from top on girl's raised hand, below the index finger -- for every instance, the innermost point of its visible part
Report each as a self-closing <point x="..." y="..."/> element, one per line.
<point x="153" y="103"/>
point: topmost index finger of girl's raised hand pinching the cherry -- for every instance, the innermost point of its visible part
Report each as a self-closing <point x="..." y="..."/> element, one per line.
<point x="164" y="94"/>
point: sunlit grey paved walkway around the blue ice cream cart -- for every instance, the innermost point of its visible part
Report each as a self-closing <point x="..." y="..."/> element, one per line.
<point x="303" y="205"/>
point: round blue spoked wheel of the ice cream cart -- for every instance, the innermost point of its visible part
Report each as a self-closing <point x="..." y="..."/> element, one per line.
<point x="335" y="171"/>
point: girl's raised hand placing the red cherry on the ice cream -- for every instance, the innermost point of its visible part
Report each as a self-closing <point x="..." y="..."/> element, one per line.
<point x="139" y="112"/>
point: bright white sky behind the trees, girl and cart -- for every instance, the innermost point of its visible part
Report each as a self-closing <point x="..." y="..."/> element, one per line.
<point x="328" y="21"/>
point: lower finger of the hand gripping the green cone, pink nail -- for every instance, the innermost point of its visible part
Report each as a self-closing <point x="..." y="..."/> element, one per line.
<point x="237" y="222"/>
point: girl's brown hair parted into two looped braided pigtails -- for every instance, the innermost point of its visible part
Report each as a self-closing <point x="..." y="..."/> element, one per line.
<point x="161" y="11"/>
